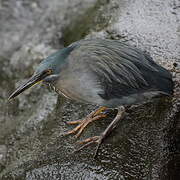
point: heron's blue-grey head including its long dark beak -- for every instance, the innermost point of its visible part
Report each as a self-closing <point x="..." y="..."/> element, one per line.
<point x="48" y="71"/>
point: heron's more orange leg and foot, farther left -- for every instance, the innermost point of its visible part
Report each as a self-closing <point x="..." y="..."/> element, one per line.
<point x="93" y="116"/>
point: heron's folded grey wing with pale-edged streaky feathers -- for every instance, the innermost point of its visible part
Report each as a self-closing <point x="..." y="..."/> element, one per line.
<point x="119" y="68"/>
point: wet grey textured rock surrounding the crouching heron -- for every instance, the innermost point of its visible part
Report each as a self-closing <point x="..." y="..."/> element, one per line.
<point x="145" y="145"/>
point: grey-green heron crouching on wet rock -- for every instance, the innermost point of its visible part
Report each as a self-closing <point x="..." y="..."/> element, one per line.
<point x="108" y="73"/>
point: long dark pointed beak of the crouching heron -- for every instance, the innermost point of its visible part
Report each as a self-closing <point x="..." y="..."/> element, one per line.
<point x="36" y="79"/>
